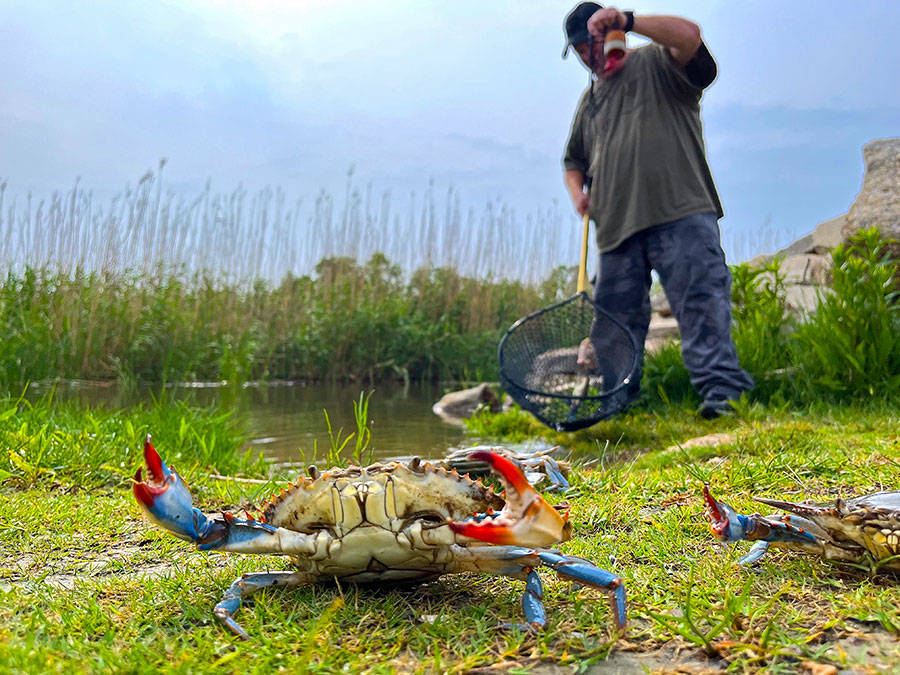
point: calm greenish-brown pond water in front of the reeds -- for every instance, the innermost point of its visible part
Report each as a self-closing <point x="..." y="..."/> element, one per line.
<point x="285" y="421"/>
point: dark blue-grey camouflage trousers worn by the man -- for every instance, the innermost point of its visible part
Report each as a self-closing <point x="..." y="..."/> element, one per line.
<point x="691" y="265"/>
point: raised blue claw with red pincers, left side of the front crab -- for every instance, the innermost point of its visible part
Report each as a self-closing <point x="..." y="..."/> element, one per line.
<point x="166" y="500"/>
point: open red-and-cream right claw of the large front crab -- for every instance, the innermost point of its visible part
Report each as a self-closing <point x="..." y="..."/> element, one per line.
<point x="526" y="519"/>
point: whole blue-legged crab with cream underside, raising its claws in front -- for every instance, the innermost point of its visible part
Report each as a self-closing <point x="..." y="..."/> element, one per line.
<point x="386" y="523"/>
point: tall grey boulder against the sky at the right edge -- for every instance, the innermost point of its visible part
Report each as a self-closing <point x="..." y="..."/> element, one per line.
<point x="878" y="203"/>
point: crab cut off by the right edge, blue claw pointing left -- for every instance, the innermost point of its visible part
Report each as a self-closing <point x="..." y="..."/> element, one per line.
<point x="856" y="530"/>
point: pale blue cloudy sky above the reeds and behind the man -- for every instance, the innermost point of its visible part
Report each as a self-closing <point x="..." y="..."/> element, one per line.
<point x="467" y="94"/>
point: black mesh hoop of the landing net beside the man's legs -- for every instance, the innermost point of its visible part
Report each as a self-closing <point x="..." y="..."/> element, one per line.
<point x="570" y="365"/>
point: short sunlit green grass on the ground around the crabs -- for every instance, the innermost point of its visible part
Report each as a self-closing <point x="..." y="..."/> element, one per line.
<point x="87" y="586"/>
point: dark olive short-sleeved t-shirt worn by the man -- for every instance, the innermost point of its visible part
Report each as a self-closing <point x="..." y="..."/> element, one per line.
<point x="641" y="144"/>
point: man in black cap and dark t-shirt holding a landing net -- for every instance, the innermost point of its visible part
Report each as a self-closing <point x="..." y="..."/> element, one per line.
<point x="637" y="141"/>
